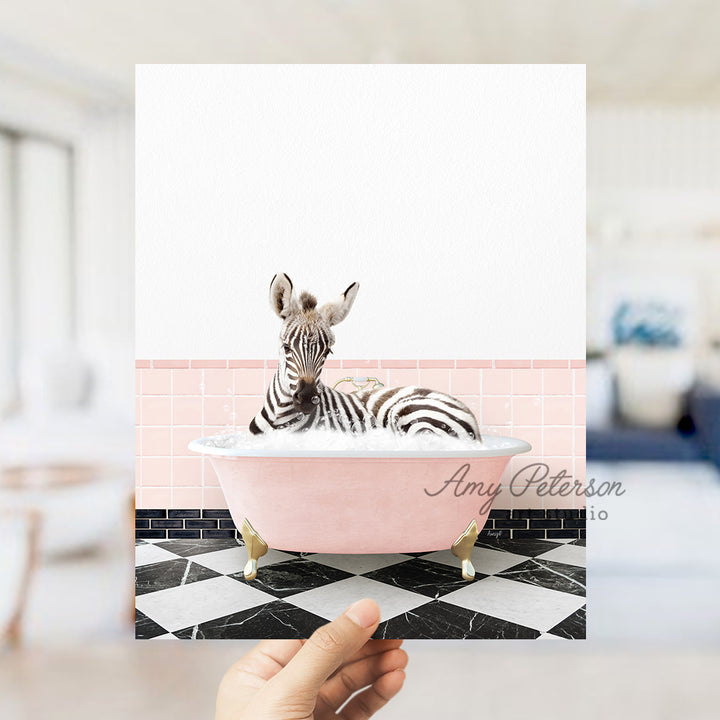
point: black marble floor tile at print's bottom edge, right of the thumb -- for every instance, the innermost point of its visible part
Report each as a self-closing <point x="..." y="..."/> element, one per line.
<point x="438" y="619"/>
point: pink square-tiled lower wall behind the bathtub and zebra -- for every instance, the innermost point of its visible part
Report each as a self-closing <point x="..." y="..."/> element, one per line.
<point x="541" y="401"/>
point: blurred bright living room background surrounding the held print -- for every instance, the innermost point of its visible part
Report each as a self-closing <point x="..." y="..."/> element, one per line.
<point x="66" y="335"/>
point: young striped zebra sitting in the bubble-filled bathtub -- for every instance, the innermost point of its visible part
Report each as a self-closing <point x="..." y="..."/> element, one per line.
<point x="296" y="399"/>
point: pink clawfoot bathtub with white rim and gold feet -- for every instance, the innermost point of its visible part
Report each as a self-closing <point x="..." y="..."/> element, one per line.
<point x="364" y="502"/>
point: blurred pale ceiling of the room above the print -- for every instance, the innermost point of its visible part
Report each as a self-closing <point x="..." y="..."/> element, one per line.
<point x="635" y="50"/>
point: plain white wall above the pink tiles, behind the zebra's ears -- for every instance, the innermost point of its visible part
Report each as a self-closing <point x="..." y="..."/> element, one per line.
<point x="454" y="194"/>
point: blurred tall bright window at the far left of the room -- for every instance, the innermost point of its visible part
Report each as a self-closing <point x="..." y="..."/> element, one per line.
<point x="37" y="266"/>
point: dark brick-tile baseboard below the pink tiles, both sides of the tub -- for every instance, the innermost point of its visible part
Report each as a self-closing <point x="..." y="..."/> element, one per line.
<point x="507" y="524"/>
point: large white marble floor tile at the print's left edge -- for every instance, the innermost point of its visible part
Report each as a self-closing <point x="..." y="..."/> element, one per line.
<point x="179" y="607"/>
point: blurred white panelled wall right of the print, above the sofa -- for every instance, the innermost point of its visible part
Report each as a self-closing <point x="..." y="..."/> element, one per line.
<point x="655" y="169"/>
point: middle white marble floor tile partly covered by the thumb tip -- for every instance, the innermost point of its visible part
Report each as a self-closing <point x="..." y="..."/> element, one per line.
<point x="332" y="600"/>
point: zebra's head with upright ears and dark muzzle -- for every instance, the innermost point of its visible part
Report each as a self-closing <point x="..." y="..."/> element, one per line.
<point x="306" y="338"/>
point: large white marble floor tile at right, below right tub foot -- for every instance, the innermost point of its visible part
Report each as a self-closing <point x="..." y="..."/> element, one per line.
<point x="528" y="605"/>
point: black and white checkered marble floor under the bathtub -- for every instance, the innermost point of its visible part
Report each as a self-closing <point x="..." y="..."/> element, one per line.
<point x="522" y="589"/>
